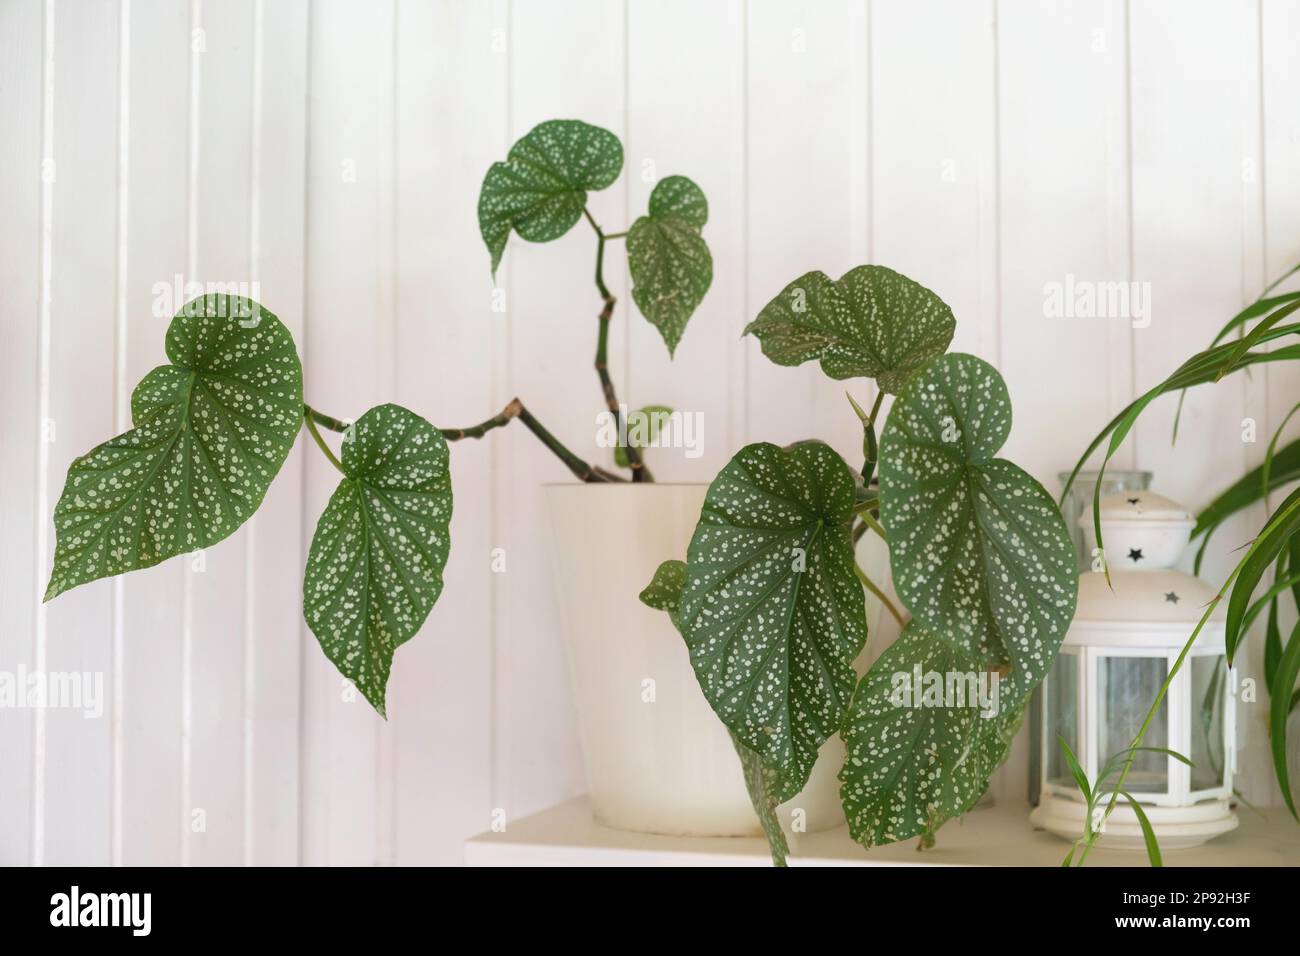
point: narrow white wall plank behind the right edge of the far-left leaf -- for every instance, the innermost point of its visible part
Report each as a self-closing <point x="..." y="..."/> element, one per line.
<point x="276" y="630"/>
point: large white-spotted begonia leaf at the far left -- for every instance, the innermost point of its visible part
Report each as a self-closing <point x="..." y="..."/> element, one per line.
<point x="211" y="431"/>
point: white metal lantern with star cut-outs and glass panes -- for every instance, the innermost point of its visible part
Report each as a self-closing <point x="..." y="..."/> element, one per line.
<point x="1119" y="652"/>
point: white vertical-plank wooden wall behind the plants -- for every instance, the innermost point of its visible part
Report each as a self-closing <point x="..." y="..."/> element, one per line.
<point x="333" y="153"/>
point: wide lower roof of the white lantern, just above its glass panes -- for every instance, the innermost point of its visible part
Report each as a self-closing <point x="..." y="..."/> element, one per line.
<point x="1143" y="599"/>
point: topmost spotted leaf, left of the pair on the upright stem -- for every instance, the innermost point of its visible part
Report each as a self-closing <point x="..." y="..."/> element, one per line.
<point x="541" y="188"/>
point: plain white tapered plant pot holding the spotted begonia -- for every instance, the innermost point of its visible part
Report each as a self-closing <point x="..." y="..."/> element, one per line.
<point x="658" y="759"/>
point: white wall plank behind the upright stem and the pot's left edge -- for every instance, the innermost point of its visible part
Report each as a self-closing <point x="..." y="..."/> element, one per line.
<point x="553" y="312"/>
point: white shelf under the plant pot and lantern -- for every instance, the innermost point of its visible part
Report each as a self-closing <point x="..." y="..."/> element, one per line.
<point x="1002" y="836"/>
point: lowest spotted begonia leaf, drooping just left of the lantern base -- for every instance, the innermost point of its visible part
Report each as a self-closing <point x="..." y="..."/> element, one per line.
<point x="915" y="763"/>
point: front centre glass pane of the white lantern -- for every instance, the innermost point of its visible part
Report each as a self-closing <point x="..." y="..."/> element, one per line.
<point x="1126" y="686"/>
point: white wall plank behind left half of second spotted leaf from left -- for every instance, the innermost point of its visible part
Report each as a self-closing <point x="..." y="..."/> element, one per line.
<point x="349" y="369"/>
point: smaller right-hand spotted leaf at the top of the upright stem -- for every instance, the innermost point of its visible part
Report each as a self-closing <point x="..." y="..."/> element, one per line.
<point x="670" y="263"/>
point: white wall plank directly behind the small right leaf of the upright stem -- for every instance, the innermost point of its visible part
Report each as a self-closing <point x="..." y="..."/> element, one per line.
<point x="686" y="123"/>
